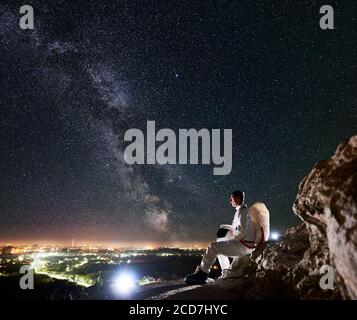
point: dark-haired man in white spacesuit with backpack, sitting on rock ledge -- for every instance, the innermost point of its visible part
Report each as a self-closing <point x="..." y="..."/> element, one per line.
<point x="249" y="229"/>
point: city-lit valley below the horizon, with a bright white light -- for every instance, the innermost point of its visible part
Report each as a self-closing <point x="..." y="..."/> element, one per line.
<point x="124" y="269"/>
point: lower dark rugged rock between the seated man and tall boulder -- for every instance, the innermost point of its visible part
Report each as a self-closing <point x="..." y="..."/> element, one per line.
<point x="294" y="263"/>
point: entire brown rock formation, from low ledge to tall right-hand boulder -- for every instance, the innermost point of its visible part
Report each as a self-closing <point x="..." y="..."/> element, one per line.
<point x="290" y="268"/>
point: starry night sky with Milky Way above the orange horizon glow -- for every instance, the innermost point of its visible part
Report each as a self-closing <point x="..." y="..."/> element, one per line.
<point x="70" y="88"/>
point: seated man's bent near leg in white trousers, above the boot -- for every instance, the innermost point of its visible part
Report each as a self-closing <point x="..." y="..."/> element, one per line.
<point x="230" y="248"/>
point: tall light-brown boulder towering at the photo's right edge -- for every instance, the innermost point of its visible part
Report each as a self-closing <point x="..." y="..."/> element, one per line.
<point x="327" y="202"/>
